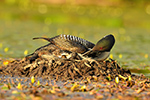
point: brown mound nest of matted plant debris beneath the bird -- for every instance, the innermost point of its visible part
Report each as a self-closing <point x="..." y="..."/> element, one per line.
<point x="51" y="61"/>
